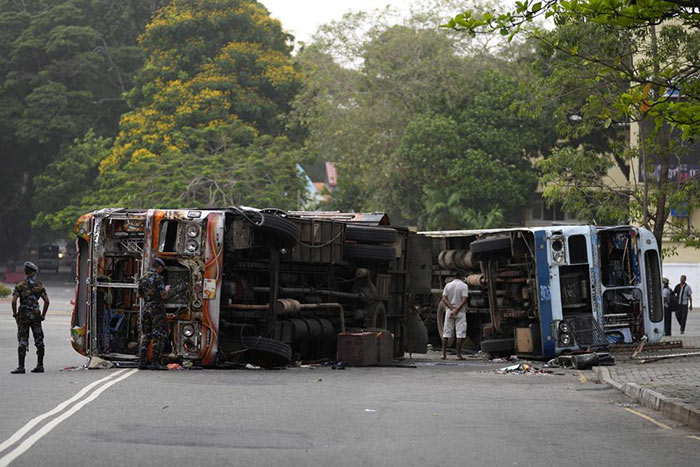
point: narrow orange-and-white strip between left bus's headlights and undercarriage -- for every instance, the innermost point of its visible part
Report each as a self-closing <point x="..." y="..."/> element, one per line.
<point x="212" y="287"/>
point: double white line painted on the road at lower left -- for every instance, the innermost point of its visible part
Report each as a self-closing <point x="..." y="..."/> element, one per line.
<point x="29" y="442"/>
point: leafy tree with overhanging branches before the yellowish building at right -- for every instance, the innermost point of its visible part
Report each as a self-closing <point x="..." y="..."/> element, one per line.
<point x="655" y="61"/>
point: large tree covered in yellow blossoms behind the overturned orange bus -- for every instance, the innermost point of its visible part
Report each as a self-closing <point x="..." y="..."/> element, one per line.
<point x="208" y="126"/>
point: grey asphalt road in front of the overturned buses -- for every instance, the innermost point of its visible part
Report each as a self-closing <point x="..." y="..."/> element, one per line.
<point x="435" y="414"/>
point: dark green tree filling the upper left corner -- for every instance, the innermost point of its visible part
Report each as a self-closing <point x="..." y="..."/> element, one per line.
<point x="64" y="65"/>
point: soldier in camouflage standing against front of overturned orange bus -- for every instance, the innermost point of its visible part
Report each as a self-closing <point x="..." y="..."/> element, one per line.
<point x="154" y="321"/>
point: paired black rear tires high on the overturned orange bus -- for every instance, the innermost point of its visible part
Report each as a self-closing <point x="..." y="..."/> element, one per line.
<point x="366" y="243"/>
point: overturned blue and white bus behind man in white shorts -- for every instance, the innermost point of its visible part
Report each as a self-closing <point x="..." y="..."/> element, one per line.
<point x="544" y="291"/>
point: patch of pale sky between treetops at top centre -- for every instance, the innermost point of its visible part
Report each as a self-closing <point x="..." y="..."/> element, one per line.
<point x="301" y="18"/>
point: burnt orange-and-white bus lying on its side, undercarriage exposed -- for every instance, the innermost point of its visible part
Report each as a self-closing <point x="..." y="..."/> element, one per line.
<point x="247" y="286"/>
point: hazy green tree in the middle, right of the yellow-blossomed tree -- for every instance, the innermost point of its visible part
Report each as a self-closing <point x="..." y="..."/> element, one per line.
<point x="415" y="118"/>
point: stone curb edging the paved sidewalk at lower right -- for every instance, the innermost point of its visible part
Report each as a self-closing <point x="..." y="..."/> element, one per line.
<point x="672" y="408"/>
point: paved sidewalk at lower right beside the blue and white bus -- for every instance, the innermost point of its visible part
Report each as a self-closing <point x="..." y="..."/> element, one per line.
<point x="670" y="386"/>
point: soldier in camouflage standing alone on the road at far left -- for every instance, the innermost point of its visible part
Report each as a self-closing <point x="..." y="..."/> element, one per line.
<point x="29" y="317"/>
